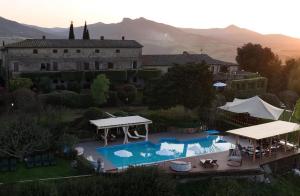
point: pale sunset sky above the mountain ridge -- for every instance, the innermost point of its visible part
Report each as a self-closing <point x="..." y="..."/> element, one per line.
<point x="263" y="16"/>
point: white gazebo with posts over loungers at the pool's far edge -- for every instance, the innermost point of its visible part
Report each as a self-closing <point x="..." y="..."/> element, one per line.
<point x="124" y="122"/>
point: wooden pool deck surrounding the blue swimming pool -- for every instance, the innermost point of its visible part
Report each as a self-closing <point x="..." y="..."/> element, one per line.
<point x="248" y="164"/>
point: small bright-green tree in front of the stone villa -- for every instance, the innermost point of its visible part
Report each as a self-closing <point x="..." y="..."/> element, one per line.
<point x="100" y="88"/>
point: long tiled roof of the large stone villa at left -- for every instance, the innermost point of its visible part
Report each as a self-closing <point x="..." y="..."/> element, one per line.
<point x="65" y="43"/>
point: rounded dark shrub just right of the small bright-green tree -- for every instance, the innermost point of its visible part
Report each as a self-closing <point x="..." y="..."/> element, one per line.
<point x="127" y="93"/>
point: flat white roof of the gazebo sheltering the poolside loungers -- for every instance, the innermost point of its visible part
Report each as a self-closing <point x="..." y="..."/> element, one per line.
<point x="120" y="122"/>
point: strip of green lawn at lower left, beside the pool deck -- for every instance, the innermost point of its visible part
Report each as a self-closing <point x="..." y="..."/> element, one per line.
<point x="61" y="169"/>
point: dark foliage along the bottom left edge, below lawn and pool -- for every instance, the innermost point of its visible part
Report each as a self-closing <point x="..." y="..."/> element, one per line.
<point x="146" y="181"/>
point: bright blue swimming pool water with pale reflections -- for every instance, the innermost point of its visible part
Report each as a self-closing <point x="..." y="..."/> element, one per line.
<point x="142" y="153"/>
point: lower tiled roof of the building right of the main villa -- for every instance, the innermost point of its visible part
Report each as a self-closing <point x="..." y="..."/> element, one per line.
<point x="181" y="59"/>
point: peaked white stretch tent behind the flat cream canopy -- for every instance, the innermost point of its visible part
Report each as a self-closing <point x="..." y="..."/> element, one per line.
<point x="255" y="106"/>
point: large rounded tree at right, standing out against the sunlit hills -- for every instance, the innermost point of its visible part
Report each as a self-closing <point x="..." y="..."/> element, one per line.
<point x="255" y="58"/>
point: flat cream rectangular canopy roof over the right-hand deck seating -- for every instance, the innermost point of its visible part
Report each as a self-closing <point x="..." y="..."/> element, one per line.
<point x="266" y="130"/>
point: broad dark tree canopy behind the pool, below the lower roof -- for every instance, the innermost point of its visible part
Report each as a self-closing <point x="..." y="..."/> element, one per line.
<point x="188" y="85"/>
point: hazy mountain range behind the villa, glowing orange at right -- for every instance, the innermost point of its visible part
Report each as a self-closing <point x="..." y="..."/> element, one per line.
<point x="158" y="38"/>
